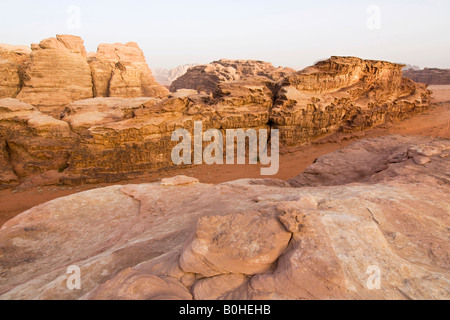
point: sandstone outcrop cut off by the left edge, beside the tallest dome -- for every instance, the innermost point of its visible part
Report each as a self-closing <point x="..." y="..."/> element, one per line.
<point x="12" y="60"/>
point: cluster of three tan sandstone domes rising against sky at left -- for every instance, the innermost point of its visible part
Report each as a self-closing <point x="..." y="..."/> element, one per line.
<point x="58" y="71"/>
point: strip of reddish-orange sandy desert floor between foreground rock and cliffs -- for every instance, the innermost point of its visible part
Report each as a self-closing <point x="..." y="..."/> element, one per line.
<point x="434" y="122"/>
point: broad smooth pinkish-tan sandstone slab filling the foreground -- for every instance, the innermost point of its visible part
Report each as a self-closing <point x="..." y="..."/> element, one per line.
<point x="154" y="242"/>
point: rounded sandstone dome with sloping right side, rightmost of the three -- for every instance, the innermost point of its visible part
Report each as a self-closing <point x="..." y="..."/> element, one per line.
<point x="120" y="70"/>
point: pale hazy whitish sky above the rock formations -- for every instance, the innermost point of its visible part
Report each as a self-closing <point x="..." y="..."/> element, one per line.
<point x="284" y="32"/>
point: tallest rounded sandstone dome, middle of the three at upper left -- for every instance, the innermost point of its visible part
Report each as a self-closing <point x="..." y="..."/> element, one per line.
<point x="57" y="74"/>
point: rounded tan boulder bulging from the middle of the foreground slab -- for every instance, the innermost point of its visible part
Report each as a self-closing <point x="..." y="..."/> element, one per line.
<point x="244" y="243"/>
